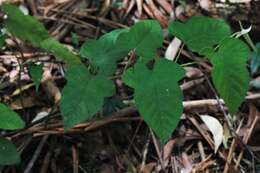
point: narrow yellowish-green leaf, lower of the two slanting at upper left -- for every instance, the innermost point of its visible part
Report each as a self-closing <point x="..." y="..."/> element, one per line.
<point x="60" y="51"/>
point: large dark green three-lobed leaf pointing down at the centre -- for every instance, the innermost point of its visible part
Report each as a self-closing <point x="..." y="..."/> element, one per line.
<point x="158" y="96"/>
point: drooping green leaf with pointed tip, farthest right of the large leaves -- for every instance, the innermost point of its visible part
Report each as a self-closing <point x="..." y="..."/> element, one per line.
<point x="230" y="75"/>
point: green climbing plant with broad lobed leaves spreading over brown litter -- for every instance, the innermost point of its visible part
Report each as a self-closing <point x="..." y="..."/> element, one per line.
<point x="157" y="94"/>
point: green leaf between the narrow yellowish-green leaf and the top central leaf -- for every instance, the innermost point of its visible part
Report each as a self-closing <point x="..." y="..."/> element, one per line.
<point x="103" y="53"/>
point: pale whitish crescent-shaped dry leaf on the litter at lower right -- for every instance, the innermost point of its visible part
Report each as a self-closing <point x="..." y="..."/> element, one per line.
<point x="215" y="128"/>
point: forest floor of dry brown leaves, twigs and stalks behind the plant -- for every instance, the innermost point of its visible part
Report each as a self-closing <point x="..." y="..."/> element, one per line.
<point x="121" y="141"/>
